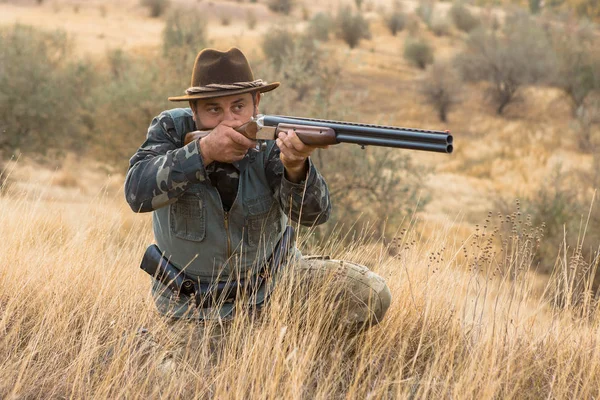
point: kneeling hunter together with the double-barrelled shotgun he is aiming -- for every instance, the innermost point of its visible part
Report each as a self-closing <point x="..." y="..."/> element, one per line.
<point x="222" y="180"/>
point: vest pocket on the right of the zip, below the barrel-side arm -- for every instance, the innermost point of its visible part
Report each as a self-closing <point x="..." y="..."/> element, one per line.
<point x="263" y="220"/>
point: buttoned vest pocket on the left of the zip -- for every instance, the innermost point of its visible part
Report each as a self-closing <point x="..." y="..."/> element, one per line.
<point x="188" y="217"/>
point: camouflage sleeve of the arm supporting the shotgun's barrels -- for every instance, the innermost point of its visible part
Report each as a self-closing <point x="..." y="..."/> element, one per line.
<point x="307" y="202"/>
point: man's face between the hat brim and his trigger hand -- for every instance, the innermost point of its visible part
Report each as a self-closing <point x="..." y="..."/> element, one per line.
<point x="208" y="113"/>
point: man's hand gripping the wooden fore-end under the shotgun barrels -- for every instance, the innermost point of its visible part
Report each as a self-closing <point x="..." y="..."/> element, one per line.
<point x="294" y="154"/>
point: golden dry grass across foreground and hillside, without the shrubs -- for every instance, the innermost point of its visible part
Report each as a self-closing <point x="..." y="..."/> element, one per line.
<point x="470" y="317"/>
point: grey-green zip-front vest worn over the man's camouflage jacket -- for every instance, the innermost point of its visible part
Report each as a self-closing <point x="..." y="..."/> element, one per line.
<point x="197" y="235"/>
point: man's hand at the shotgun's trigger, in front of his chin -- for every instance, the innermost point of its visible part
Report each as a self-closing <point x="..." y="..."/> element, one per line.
<point x="223" y="143"/>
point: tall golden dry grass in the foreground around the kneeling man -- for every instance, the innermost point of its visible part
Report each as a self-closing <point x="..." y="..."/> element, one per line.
<point x="466" y="320"/>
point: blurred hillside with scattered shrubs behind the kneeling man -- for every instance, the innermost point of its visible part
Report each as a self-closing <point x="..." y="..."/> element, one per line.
<point x="516" y="82"/>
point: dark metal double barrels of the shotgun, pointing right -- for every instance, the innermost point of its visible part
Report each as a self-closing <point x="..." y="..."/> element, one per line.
<point x="375" y="135"/>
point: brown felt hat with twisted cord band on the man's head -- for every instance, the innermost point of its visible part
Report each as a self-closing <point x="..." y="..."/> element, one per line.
<point x="218" y="74"/>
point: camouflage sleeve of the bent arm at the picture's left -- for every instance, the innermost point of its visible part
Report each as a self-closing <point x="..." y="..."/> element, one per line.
<point x="162" y="168"/>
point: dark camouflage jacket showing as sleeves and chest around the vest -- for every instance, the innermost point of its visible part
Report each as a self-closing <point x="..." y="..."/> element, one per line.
<point x="163" y="168"/>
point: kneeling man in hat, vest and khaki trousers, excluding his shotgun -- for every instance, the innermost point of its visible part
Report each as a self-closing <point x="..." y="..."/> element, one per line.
<point x="220" y="207"/>
